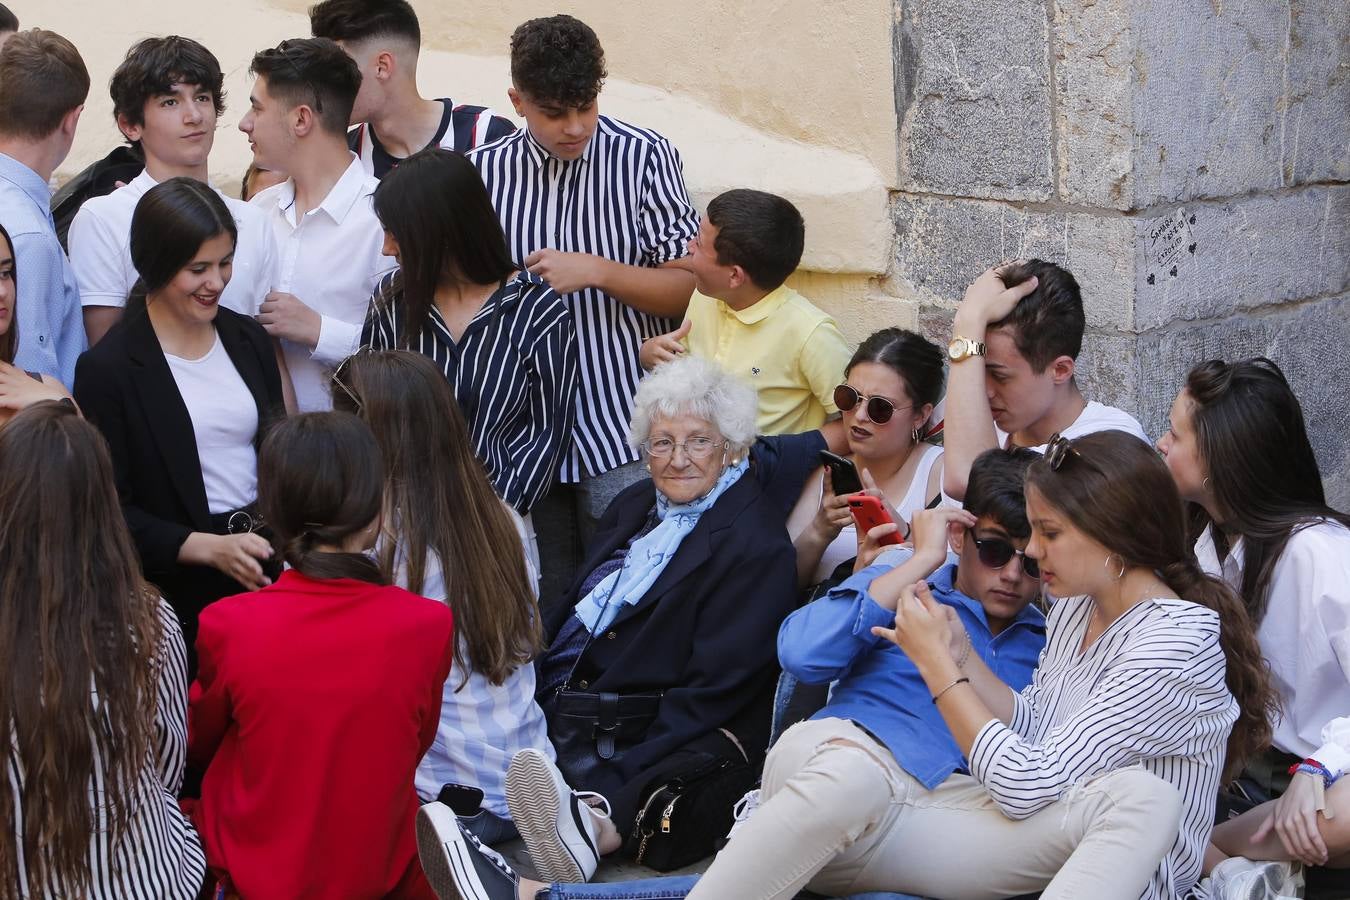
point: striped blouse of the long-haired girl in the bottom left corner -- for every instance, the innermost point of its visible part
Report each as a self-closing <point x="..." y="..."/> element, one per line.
<point x="160" y="856"/>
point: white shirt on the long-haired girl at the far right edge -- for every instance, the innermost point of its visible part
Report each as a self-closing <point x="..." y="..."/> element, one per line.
<point x="1306" y="631"/>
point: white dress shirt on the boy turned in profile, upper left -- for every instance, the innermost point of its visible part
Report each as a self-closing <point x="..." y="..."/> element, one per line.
<point x="333" y="261"/>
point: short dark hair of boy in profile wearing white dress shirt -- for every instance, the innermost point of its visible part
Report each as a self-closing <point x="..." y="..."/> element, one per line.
<point x="314" y="72"/>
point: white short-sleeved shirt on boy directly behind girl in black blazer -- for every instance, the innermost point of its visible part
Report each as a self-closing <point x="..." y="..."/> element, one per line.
<point x="101" y="250"/>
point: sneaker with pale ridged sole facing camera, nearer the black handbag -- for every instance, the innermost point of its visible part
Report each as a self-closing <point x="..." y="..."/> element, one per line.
<point x="560" y="828"/>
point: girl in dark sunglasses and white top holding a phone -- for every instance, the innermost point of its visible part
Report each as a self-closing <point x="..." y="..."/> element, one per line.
<point x="890" y="388"/>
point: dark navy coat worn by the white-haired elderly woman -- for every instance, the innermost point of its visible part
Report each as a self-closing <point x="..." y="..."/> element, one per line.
<point x="707" y="634"/>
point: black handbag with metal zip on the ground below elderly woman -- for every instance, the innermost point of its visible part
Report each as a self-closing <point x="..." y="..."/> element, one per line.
<point x="686" y="816"/>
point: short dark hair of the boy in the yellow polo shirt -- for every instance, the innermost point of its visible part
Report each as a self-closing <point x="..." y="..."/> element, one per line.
<point x="761" y="233"/>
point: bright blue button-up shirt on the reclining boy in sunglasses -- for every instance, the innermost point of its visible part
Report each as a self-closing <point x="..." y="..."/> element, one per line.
<point x="878" y="686"/>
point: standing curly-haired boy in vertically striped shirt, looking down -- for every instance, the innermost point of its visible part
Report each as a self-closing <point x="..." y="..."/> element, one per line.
<point x="599" y="210"/>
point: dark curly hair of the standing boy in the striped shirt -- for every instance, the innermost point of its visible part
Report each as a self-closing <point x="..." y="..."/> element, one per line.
<point x="558" y="61"/>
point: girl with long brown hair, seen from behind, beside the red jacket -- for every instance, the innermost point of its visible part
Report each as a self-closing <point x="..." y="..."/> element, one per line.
<point x="450" y="538"/>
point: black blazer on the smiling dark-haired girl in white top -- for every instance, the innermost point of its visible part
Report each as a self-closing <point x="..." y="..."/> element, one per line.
<point x="125" y="388"/>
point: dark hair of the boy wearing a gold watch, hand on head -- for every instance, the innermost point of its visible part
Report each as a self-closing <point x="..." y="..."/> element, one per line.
<point x="1048" y="323"/>
